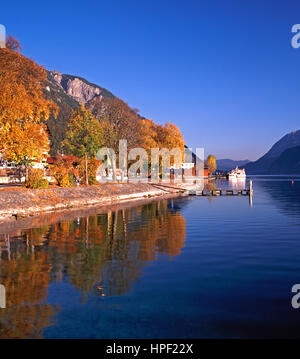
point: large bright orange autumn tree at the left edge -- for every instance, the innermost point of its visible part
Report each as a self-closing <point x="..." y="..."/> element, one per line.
<point x="23" y="107"/>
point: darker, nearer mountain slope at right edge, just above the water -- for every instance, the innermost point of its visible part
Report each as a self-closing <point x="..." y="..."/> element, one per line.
<point x="287" y="163"/>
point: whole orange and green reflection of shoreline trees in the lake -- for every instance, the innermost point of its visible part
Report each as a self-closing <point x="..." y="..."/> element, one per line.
<point x="101" y="254"/>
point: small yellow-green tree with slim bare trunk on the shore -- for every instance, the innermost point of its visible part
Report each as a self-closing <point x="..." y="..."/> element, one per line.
<point x="84" y="136"/>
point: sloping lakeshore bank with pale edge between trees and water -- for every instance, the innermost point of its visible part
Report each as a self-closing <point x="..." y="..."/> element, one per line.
<point x="18" y="202"/>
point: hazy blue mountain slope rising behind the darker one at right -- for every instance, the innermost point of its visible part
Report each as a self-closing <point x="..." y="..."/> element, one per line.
<point x="264" y="164"/>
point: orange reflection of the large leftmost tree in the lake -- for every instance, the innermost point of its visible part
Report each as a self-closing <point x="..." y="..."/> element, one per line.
<point x="25" y="273"/>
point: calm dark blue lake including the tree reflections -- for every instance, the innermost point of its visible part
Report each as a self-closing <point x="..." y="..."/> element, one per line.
<point x="193" y="267"/>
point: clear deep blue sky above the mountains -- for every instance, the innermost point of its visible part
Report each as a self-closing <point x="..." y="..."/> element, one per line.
<point x="224" y="71"/>
